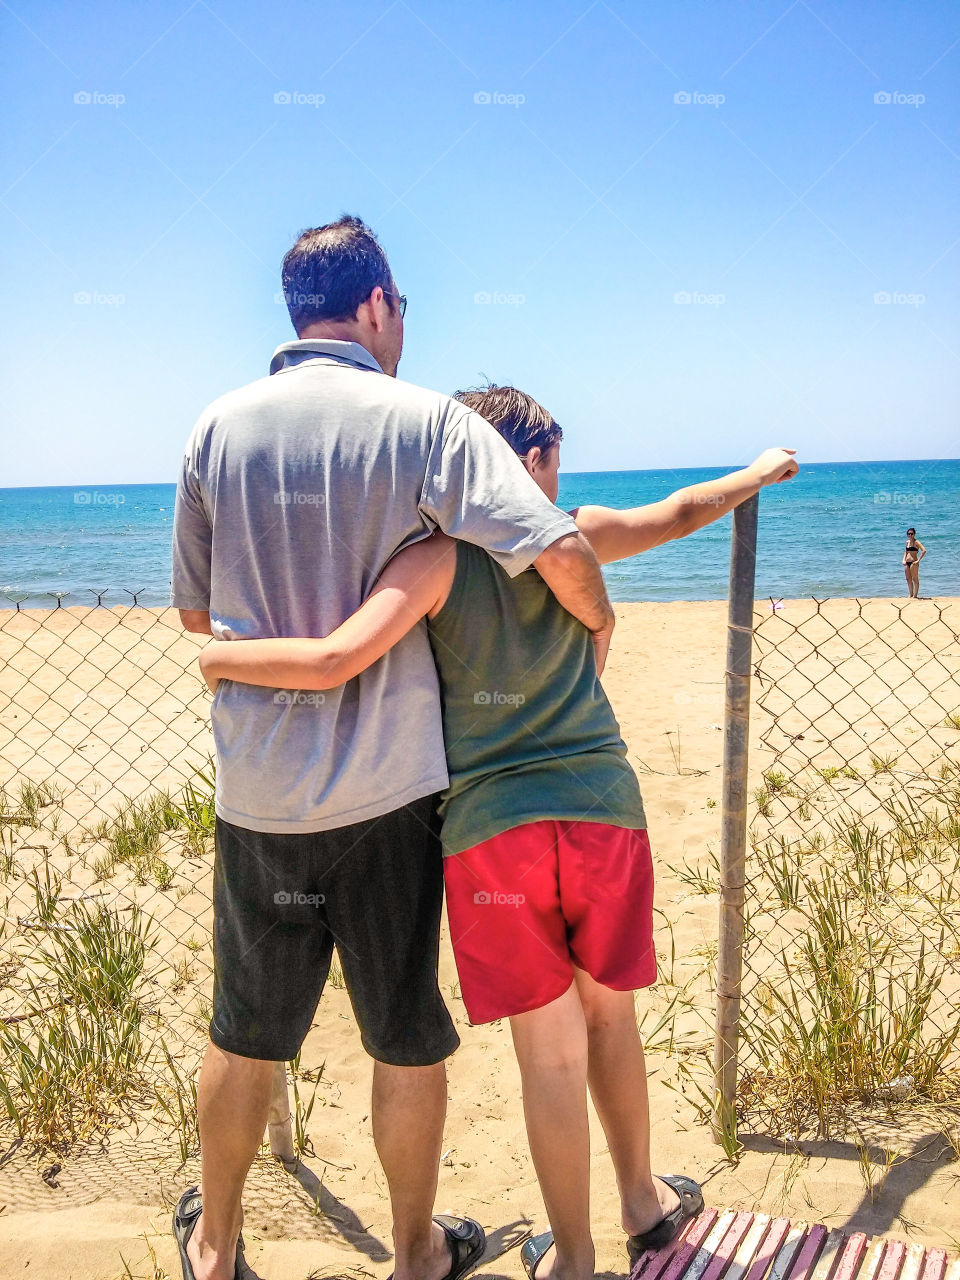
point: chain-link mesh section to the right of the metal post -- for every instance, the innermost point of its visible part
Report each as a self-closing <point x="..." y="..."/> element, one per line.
<point x="852" y="953"/>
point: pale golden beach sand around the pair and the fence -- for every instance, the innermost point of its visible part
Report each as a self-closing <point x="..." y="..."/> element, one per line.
<point x="666" y="682"/>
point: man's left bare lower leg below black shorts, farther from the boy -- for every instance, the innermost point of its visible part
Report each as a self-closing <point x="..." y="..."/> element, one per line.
<point x="234" y="1099"/>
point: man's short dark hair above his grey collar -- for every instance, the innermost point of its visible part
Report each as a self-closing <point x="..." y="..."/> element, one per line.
<point x="332" y="271"/>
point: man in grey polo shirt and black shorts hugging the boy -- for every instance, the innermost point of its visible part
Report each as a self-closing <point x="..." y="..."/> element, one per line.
<point x="296" y="491"/>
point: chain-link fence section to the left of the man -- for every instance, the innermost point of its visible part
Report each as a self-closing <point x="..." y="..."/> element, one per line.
<point x="106" y="872"/>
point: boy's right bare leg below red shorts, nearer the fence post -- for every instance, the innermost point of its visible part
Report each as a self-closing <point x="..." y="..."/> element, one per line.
<point x="618" y="1077"/>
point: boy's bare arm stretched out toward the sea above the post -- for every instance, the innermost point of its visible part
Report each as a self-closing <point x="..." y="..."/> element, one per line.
<point x="618" y="534"/>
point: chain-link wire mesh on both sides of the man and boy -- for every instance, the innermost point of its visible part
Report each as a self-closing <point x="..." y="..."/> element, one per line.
<point x="852" y="957"/>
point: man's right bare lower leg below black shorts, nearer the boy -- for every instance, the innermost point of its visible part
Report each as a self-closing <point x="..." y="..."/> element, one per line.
<point x="409" y="1110"/>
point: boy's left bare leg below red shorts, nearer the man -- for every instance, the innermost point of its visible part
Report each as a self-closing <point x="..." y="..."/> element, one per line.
<point x="551" y="1045"/>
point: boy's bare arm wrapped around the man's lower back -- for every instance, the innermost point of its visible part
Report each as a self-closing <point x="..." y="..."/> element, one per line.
<point x="415" y="583"/>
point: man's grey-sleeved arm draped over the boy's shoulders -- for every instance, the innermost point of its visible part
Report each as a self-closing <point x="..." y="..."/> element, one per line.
<point x="478" y="490"/>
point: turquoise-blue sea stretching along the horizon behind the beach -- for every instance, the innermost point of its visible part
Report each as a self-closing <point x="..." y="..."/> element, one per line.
<point x="836" y="529"/>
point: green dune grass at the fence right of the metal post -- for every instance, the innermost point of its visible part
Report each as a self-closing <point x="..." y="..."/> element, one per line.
<point x="852" y="977"/>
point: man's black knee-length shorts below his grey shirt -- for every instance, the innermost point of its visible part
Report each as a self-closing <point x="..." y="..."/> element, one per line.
<point x="284" y="902"/>
